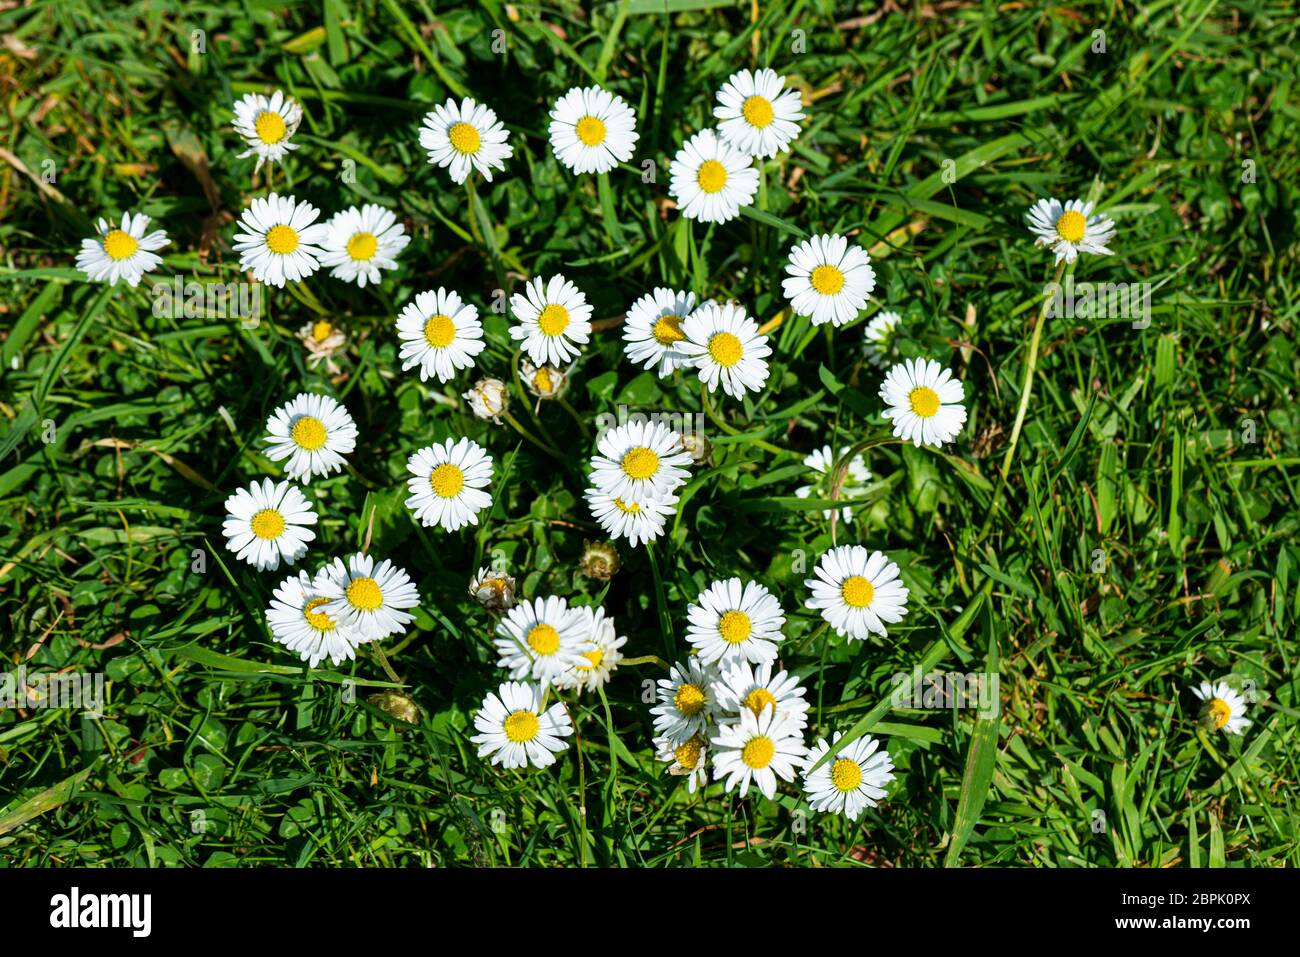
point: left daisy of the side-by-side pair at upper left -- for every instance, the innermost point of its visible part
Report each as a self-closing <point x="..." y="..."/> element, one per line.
<point x="279" y="241"/>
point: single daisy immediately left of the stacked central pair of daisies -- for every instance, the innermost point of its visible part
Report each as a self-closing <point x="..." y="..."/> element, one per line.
<point x="448" y="484"/>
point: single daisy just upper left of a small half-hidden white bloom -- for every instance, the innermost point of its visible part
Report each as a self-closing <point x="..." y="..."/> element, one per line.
<point x="829" y="280"/>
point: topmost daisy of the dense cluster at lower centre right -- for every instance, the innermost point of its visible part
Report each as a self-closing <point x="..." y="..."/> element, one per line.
<point x="735" y="622"/>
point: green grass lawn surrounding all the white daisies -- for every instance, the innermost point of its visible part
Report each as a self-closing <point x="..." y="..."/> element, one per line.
<point x="124" y="434"/>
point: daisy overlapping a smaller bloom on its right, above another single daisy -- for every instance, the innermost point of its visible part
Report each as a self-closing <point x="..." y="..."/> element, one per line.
<point x="543" y="639"/>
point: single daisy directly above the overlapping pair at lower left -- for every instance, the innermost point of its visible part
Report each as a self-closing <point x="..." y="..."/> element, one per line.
<point x="267" y="523"/>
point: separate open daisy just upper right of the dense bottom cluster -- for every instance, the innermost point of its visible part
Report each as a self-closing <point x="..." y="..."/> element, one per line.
<point x="857" y="592"/>
